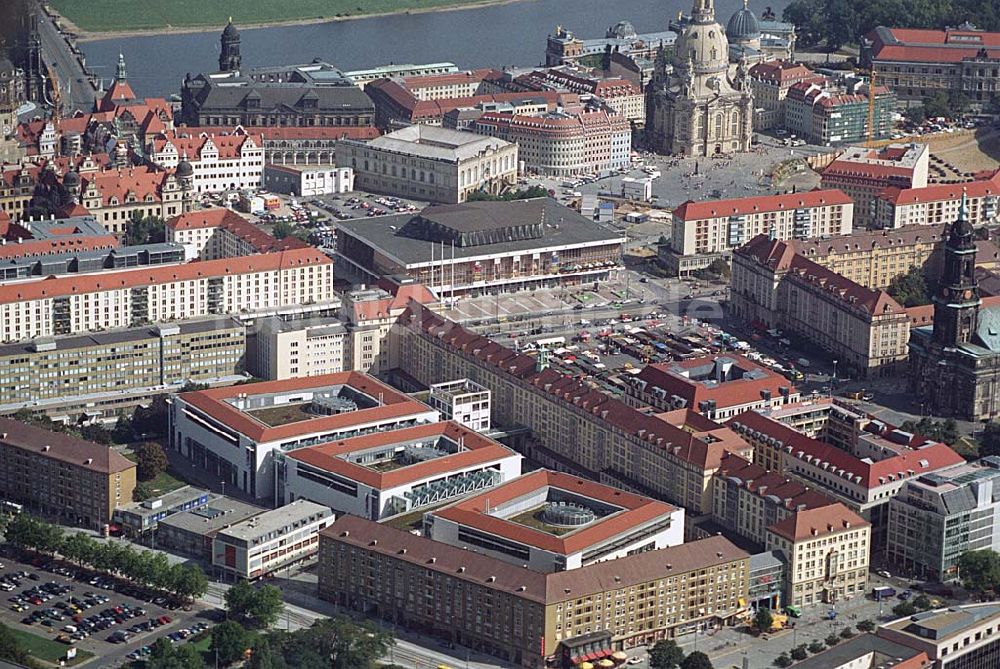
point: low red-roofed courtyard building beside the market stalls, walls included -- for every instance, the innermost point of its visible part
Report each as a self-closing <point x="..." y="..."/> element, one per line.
<point x="717" y="387"/>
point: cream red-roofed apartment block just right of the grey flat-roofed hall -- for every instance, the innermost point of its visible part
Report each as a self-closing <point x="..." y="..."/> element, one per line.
<point x="703" y="232"/>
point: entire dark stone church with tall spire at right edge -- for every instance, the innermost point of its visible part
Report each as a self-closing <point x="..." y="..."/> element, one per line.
<point x="955" y="363"/>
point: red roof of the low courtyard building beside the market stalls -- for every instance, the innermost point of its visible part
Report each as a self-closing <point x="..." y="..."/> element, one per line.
<point x="725" y="394"/>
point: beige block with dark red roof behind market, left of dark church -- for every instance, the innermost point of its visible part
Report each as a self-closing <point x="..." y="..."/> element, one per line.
<point x="774" y="287"/>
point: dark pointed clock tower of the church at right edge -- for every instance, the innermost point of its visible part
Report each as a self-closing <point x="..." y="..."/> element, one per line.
<point x="956" y="303"/>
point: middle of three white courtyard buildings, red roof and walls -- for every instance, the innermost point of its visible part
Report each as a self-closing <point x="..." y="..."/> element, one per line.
<point x="385" y="474"/>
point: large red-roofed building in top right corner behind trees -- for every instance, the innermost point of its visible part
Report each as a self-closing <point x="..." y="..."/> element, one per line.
<point x="916" y="63"/>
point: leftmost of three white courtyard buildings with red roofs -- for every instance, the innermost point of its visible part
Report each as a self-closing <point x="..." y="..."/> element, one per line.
<point x="232" y="433"/>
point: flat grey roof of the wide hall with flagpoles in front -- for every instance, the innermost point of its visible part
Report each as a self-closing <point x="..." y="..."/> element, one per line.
<point x="562" y="227"/>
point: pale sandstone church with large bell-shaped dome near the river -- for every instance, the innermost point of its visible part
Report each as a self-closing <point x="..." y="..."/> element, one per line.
<point x="695" y="106"/>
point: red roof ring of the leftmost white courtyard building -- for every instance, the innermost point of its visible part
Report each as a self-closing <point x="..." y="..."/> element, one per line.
<point x="393" y="405"/>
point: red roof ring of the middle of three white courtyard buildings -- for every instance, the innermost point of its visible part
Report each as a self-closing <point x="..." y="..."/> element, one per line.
<point x="477" y="450"/>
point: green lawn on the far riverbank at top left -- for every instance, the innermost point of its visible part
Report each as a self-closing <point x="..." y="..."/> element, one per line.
<point x="112" y="15"/>
